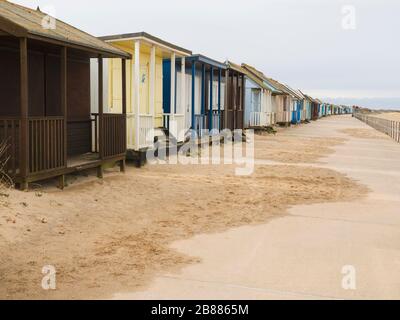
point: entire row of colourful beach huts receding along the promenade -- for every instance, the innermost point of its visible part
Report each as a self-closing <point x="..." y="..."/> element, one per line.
<point x="71" y="101"/>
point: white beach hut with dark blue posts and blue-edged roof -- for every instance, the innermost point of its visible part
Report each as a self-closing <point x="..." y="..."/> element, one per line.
<point x="203" y="103"/>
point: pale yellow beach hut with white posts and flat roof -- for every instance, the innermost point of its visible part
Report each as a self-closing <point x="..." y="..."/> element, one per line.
<point x="152" y="88"/>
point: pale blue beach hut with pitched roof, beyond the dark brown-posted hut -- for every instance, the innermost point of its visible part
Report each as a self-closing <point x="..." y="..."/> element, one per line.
<point x="258" y="99"/>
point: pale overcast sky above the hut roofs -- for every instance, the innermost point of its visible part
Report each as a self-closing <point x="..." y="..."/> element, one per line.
<point x="345" y="51"/>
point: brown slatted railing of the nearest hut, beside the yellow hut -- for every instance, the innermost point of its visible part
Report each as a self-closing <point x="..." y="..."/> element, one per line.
<point x="113" y="133"/>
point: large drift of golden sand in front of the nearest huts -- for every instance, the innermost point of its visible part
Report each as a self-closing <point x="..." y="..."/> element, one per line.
<point x="113" y="235"/>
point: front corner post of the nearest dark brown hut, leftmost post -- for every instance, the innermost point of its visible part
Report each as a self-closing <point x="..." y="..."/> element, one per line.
<point x="24" y="164"/>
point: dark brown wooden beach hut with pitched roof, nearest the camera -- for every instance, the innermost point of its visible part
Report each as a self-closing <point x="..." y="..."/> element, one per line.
<point x="45" y="116"/>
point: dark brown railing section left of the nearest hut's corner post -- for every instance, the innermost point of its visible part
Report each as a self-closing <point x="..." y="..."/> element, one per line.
<point x="9" y="136"/>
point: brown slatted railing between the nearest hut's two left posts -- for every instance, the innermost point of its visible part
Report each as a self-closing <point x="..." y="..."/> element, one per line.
<point x="46" y="144"/>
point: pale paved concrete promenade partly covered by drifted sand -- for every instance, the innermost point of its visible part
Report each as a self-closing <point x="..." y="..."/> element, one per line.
<point x="301" y="256"/>
